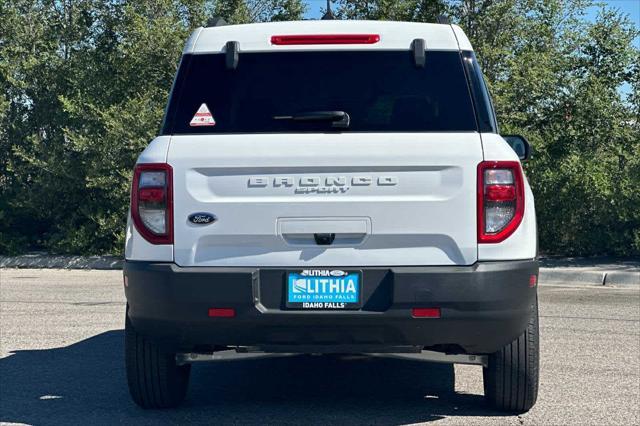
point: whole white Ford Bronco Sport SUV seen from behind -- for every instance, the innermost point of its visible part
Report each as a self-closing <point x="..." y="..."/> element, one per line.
<point x="331" y="187"/>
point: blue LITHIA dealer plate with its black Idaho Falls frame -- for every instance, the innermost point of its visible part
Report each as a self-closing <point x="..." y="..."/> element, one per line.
<point x="337" y="294"/>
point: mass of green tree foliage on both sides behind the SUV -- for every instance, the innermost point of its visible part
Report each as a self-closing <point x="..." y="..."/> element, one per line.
<point x="84" y="83"/>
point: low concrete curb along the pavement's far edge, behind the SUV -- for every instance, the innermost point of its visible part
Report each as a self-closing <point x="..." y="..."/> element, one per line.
<point x="615" y="274"/>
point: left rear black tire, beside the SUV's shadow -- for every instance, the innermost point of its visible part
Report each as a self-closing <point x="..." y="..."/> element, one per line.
<point x="155" y="380"/>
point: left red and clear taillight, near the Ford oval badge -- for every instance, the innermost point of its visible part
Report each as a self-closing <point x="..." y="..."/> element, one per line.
<point x="152" y="202"/>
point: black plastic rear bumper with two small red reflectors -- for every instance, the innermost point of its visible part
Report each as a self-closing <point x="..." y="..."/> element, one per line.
<point x="483" y="307"/>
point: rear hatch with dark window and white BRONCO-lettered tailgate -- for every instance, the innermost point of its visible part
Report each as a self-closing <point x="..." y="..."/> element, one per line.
<point x="267" y="149"/>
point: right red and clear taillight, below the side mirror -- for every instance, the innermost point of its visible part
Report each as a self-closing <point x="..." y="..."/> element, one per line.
<point x="500" y="200"/>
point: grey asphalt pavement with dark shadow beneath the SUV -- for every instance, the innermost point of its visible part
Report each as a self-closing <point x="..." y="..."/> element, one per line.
<point x="61" y="363"/>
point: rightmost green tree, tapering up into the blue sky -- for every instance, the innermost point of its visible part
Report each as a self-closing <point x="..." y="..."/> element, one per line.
<point x="586" y="174"/>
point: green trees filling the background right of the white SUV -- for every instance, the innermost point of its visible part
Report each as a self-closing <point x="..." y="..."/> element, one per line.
<point x="557" y="78"/>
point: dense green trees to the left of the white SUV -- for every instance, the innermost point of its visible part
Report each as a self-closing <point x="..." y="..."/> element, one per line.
<point x="84" y="87"/>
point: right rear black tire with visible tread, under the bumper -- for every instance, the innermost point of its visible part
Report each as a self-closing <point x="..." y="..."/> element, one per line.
<point x="511" y="378"/>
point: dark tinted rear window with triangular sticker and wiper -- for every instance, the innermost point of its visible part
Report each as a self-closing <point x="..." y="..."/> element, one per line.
<point x="381" y="91"/>
